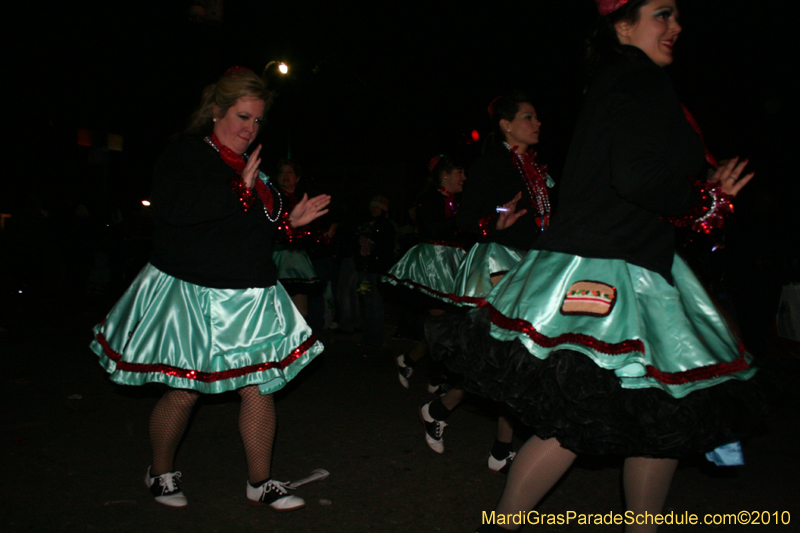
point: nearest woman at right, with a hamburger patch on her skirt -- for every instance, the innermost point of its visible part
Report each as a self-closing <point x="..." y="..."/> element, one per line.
<point x="601" y="339"/>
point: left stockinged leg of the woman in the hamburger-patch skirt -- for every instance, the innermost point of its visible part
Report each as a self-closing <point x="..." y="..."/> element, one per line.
<point x="538" y="466"/>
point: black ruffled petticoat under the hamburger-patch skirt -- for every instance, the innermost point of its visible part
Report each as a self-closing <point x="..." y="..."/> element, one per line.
<point x="569" y="397"/>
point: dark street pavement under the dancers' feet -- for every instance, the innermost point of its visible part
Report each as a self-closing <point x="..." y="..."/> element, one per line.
<point x="75" y="449"/>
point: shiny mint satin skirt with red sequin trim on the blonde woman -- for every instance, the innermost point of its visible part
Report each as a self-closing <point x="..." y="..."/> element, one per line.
<point x="169" y="331"/>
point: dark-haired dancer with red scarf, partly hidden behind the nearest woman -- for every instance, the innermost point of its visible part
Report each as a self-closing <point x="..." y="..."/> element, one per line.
<point x="506" y="207"/>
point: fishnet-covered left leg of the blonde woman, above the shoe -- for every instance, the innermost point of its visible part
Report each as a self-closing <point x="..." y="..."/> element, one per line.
<point x="167" y="426"/>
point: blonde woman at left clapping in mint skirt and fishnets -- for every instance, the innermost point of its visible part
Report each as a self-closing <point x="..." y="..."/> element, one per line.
<point x="206" y="315"/>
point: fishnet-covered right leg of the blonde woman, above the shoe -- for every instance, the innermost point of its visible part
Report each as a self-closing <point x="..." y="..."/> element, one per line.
<point x="257" y="425"/>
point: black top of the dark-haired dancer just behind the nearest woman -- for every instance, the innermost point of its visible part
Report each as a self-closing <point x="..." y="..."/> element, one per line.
<point x="492" y="181"/>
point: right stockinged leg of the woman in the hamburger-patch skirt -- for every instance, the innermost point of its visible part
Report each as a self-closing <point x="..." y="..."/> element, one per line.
<point x="646" y="482"/>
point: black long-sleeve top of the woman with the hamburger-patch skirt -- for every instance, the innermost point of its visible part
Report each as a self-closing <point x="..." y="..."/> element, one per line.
<point x="630" y="164"/>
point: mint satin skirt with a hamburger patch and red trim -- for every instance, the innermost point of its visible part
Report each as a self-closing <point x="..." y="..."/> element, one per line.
<point x="625" y="318"/>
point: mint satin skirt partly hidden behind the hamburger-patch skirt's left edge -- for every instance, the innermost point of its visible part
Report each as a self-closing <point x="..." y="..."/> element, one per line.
<point x="473" y="281"/>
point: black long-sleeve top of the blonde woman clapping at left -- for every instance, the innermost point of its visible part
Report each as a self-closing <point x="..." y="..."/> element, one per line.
<point x="202" y="234"/>
